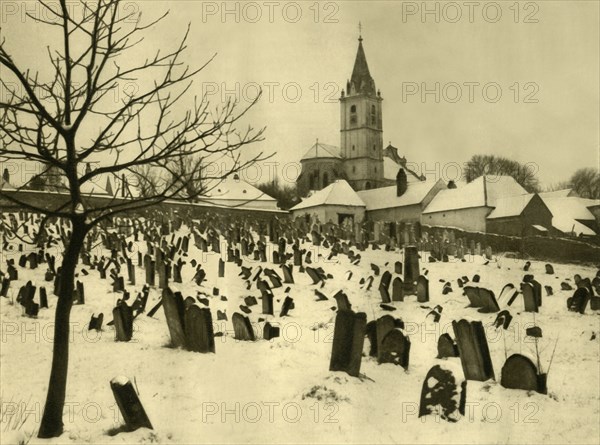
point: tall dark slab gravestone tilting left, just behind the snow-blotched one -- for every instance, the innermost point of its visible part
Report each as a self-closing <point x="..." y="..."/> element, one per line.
<point x="473" y="350"/>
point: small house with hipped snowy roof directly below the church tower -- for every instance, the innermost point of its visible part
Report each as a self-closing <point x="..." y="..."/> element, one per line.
<point x="337" y="203"/>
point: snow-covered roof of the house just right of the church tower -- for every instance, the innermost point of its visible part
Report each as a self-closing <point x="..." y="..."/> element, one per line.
<point x="385" y="197"/>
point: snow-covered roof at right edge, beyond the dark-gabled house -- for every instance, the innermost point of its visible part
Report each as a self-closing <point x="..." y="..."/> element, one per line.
<point x="568" y="212"/>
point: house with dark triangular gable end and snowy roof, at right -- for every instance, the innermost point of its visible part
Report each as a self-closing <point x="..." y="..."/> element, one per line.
<point x="520" y="215"/>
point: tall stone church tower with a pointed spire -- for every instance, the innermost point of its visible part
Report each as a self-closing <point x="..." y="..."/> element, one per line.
<point x="361" y="127"/>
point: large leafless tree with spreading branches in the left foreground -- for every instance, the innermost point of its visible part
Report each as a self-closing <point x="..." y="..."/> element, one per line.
<point x="80" y="123"/>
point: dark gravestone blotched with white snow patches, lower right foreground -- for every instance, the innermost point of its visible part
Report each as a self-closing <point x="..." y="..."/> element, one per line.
<point x="442" y="395"/>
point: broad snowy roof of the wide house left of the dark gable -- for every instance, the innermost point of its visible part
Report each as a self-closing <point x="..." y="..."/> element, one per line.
<point x="481" y="192"/>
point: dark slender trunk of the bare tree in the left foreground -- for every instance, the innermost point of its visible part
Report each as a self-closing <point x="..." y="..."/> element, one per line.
<point x="52" y="423"/>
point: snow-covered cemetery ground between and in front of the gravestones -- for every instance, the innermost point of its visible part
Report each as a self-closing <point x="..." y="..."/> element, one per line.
<point x="281" y="391"/>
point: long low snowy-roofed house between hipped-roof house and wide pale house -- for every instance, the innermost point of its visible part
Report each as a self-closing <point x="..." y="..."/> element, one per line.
<point x="403" y="202"/>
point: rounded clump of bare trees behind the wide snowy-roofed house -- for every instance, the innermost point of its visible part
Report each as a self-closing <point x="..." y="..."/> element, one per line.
<point x="524" y="174"/>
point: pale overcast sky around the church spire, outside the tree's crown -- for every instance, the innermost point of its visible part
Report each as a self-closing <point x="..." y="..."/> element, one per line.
<point x="542" y="57"/>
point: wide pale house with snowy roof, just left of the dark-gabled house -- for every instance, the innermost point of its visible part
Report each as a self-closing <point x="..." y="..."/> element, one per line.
<point x="467" y="207"/>
